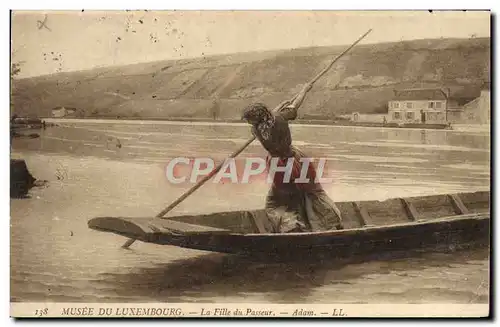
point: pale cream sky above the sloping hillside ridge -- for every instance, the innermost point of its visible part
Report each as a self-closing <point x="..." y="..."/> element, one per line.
<point x="81" y="40"/>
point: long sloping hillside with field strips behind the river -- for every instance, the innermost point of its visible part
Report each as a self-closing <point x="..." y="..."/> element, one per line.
<point x="221" y="86"/>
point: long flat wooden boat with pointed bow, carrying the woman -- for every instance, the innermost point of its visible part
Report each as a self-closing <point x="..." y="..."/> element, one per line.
<point x="371" y="227"/>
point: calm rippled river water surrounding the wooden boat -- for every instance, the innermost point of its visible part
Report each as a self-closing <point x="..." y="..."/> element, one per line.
<point x="55" y="257"/>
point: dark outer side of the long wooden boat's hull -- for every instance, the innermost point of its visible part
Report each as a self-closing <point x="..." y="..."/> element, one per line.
<point x="449" y="232"/>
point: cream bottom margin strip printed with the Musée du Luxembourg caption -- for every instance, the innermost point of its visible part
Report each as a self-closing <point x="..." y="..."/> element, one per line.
<point x="244" y="310"/>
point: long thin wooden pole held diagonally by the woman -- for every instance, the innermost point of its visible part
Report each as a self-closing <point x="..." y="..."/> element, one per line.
<point x="244" y="146"/>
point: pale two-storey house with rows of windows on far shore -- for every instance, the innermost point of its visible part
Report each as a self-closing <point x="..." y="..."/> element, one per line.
<point x="418" y="106"/>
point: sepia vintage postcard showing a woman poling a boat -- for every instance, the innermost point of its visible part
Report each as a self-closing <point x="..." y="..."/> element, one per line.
<point x="180" y="164"/>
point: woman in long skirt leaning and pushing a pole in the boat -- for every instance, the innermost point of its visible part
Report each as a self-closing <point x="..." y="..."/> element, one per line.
<point x="291" y="207"/>
